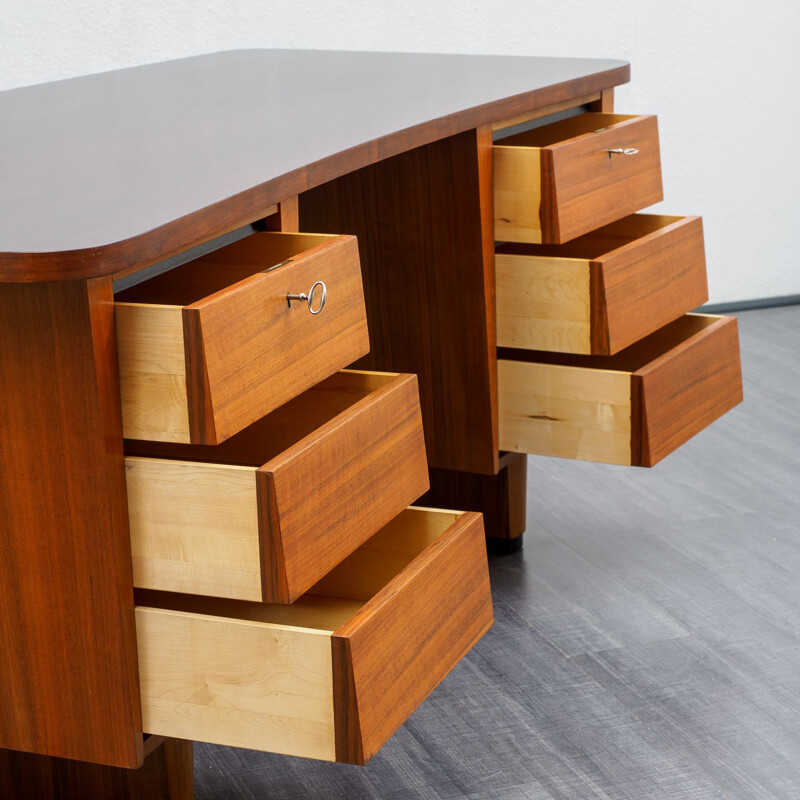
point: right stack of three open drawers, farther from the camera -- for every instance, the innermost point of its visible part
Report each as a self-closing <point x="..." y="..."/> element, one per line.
<point x="598" y="356"/>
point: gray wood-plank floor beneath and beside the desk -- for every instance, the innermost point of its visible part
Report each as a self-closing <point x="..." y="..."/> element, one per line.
<point x="646" y="642"/>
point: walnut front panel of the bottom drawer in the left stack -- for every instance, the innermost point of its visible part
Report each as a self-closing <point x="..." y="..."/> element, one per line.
<point x="428" y="617"/>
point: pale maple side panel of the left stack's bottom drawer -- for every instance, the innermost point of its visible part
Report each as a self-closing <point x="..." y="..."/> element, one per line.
<point x="237" y="682"/>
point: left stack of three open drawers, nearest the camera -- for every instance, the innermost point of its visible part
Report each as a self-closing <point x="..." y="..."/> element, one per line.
<point x="288" y="598"/>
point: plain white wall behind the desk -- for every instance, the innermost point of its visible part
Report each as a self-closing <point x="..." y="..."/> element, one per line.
<point x="721" y="74"/>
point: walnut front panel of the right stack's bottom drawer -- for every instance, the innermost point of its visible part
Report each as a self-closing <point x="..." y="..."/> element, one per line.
<point x="687" y="389"/>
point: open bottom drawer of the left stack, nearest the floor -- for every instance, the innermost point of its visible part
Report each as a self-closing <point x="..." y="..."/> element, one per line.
<point x="335" y="674"/>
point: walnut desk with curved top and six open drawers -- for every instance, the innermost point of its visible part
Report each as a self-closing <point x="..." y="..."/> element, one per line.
<point x="234" y="291"/>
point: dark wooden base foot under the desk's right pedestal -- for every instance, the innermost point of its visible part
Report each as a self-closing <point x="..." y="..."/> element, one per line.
<point x="500" y="498"/>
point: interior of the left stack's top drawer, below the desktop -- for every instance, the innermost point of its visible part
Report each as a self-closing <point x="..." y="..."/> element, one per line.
<point x="222" y="268"/>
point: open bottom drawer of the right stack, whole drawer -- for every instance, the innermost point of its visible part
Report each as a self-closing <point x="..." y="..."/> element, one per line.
<point x="631" y="408"/>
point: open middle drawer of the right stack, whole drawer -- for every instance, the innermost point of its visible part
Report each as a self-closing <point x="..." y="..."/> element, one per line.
<point x="603" y="291"/>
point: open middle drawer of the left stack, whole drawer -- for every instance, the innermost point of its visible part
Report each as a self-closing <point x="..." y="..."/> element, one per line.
<point x="267" y="513"/>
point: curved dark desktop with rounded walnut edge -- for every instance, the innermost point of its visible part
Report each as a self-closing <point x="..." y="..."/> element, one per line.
<point x="105" y="172"/>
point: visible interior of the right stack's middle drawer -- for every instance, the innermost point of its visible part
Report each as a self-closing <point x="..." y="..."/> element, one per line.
<point x="596" y="244"/>
